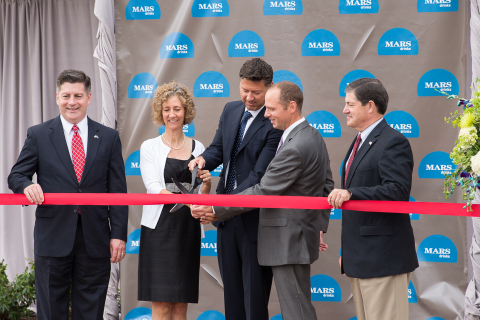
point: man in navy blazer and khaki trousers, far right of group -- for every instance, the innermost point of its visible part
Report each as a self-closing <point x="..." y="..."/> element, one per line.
<point x="378" y="248"/>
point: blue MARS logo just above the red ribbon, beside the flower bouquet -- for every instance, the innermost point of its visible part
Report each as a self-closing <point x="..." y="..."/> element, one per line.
<point x="435" y="165"/>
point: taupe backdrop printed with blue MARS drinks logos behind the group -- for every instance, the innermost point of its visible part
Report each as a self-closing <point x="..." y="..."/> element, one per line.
<point x="412" y="47"/>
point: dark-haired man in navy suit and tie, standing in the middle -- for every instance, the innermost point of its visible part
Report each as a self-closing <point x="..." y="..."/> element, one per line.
<point x="245" y="142"/>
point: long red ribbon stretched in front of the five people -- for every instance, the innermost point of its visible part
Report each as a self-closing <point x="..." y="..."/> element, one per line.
<point x="432" y="208"/>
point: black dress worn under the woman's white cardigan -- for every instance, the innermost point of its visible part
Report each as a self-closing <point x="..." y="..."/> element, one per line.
<point x="169" y="259"/>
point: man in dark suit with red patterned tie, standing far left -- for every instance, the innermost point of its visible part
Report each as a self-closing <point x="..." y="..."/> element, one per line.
<point x="73" y="245"/>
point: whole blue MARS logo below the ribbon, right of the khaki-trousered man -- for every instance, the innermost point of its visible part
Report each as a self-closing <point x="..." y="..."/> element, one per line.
<point x="437" y="248"/>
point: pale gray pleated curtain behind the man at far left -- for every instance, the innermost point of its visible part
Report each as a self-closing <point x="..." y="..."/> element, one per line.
<point x="40" y="39"/>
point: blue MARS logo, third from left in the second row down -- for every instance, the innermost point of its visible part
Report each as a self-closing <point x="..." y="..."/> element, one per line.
<point x="320" y="42"/>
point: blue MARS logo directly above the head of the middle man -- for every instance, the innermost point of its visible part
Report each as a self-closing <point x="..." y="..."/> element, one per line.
<point x="246" y="43"/>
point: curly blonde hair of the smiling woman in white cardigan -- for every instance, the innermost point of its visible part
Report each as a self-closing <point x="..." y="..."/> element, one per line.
<point x="165" y="92"/>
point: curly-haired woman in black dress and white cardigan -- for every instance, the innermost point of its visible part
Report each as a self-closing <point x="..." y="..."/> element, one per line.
<point x="169" y="257"/>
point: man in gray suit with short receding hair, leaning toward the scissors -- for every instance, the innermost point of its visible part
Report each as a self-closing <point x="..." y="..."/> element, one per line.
<point x="289" y="240"/>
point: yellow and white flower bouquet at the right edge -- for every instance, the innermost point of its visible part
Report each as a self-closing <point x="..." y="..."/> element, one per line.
<point x="466" y="152"/>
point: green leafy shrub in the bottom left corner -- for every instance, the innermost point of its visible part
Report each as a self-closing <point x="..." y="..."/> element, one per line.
<point x="18" y="295"/>
